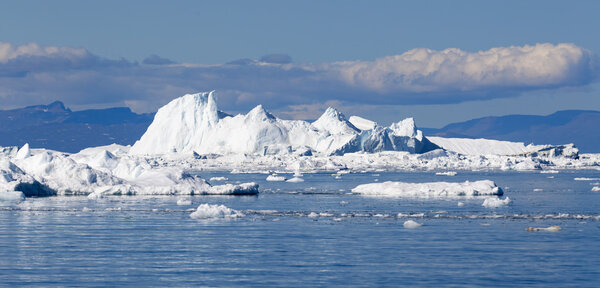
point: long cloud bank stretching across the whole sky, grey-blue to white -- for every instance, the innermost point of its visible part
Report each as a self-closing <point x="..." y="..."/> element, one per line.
<point x="31" y="74"/>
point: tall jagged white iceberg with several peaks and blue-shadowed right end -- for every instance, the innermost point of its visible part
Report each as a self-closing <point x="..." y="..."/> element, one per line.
<point x="191" y="124"/>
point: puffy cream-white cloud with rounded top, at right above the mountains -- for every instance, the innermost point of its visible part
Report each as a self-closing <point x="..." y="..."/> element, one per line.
<point x="425" y="70"/>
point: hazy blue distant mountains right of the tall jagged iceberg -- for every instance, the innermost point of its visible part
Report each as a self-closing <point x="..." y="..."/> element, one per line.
<point x="569" y="126"/>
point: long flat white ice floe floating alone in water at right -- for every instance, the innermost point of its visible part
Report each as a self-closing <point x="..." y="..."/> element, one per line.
<point x="429" y="190"/>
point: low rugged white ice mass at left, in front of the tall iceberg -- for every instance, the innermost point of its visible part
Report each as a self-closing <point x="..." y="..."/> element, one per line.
<point x="97" y="172"/>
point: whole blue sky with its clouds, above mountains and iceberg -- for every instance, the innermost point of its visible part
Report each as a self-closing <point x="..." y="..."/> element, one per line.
<point x="116" y="37"/>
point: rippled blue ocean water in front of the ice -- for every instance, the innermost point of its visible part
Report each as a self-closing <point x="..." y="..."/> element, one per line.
<point x="355" y="241"/>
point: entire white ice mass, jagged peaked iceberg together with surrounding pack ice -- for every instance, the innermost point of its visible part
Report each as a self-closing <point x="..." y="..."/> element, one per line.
<point x="191" y="134"/>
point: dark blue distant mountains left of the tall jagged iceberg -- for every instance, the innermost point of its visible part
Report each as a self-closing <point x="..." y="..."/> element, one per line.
<point x="55" y="127"/>
